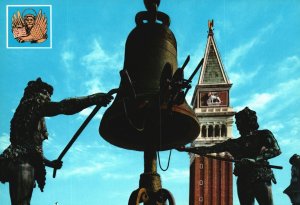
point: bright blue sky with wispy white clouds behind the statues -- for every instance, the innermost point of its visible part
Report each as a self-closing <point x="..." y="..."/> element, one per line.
<point x="258" y="42"/>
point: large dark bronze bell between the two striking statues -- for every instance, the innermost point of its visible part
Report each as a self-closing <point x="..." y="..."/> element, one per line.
<point x="141" y="118"/>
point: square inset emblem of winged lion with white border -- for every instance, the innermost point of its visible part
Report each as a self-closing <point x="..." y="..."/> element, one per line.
<point x="29" y="26"/>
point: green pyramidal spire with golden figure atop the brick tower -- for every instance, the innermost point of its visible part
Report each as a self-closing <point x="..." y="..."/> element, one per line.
<point x="212" y="71"/>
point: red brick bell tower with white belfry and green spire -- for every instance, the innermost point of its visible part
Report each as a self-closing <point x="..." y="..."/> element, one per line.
<point x="211" y="179"/>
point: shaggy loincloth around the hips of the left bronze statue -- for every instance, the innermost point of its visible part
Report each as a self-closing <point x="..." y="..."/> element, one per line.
<point x="22" y="154"/>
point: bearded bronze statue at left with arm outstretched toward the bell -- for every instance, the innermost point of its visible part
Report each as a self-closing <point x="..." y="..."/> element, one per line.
<point x="23" y="162"/>
